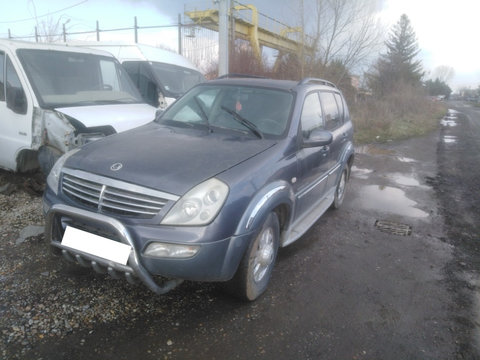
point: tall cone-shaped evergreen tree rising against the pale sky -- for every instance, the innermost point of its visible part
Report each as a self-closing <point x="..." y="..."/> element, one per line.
<point x="398" y="67"/>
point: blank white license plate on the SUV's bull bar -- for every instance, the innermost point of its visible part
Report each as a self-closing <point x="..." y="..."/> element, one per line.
<point x="96" y="245"/>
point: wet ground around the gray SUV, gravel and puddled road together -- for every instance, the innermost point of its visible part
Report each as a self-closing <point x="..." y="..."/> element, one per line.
<point x="393" y="274"/>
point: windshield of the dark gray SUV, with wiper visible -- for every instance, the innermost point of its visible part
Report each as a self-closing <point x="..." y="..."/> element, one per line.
<point x="252" y="110"/>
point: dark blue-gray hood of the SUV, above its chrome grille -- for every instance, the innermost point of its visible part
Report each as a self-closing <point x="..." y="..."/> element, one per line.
<point x="167" y="159"/>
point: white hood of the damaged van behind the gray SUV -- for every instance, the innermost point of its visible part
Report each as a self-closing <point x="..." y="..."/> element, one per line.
<point x="120" y="116"/>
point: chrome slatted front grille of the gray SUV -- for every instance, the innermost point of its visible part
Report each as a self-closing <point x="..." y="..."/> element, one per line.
<point x="113" y="196"/>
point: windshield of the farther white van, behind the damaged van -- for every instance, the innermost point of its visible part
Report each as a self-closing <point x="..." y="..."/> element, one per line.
<point x="176" y="79"/>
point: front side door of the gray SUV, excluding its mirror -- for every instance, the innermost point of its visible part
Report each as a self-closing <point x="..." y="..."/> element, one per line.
<point x="313" y="161"/>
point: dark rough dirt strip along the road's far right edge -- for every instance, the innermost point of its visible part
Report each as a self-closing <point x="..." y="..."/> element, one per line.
<point x="458" y="188"/>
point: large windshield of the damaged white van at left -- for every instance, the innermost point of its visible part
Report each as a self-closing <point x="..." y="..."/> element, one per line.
<point x="63" y="79"/>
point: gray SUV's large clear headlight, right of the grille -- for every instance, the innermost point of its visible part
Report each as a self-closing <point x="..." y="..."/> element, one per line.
<point x="199" y="206"/>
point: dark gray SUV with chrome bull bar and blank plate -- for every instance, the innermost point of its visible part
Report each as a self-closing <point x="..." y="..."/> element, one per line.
<point x="209" y="191"/>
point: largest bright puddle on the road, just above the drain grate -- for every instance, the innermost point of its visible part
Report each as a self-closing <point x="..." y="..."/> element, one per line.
<point x="388" y="199"/>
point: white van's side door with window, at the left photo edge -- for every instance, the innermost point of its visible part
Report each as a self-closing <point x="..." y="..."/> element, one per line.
<point x="15" y="114"/>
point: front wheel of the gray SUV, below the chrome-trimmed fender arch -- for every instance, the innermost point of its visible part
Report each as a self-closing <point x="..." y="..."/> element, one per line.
<point x="255" y="269"/>
